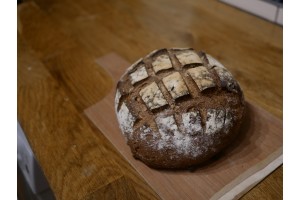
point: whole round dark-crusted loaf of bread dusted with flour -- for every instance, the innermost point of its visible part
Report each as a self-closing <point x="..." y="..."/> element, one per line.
<point x="177" y="108"/>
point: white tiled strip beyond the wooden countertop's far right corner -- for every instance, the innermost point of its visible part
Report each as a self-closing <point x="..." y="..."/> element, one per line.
<point x="268" y="10"/>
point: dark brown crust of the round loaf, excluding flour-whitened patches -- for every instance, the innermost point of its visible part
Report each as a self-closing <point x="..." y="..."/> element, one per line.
<point x="218" y="97"/>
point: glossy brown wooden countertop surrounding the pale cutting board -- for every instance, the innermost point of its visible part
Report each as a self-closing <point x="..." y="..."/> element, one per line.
<point x="58" y="43"/>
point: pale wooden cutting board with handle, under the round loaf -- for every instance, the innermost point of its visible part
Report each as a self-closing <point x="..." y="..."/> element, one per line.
<point x="256" y="152"/>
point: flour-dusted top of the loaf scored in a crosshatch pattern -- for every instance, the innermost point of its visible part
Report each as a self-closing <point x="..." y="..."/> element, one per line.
<point x="167" y="96"/>
